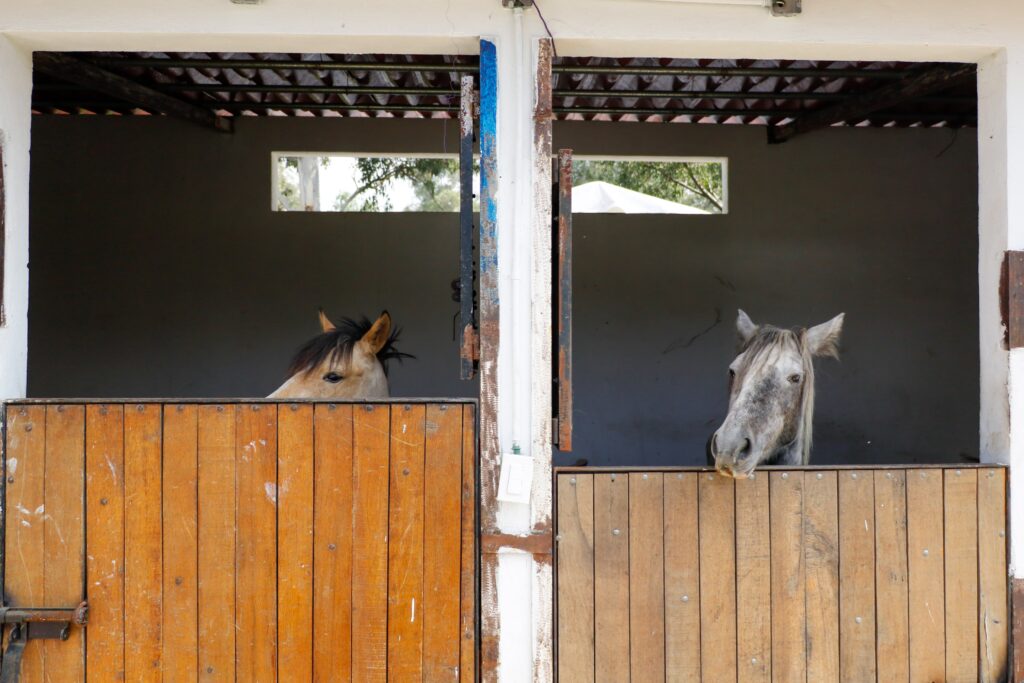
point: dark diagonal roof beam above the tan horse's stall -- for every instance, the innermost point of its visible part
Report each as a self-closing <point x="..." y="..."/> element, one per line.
<point x="89" y="76"/>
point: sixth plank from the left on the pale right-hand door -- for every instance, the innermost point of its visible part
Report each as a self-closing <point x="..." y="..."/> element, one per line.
<point x="754" y="580"/>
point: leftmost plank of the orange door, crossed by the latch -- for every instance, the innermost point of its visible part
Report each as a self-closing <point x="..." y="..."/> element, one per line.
<point x="24" y="542"/>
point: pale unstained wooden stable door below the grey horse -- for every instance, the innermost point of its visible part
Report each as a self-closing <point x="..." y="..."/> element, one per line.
<point x="855" y="575"/>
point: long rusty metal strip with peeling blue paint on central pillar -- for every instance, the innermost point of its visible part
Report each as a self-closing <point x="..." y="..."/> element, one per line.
<point x="489" y="330"/>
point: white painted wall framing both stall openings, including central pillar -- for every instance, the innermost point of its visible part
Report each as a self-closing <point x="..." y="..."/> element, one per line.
<point x="828" y="29"/>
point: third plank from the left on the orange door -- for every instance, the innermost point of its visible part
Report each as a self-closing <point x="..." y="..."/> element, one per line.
<point x="105" y="525"/>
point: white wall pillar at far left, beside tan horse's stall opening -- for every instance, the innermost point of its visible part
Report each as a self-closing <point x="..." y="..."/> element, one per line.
<point x="16" y="93"/>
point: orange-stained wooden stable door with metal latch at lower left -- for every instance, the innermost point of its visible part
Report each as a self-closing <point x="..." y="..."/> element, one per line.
<point x="248" y="542"/>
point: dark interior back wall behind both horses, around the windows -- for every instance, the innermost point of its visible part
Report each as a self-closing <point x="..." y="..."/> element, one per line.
<point x="158" y="270"/>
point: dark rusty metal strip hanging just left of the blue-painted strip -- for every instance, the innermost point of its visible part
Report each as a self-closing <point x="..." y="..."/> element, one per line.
<point x="468" y="343"/>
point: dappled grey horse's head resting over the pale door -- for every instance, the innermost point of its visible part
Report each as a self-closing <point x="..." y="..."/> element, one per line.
<point x="772" y="397"/>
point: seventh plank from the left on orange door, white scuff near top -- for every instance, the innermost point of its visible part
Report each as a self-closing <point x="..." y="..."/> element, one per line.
<point x="255" y="561"/>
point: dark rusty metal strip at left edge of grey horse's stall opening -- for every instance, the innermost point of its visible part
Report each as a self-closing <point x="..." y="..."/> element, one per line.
<point x="566" y="301"/>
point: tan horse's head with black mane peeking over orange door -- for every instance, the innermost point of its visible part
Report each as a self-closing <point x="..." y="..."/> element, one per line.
<point x="346" y="361"/>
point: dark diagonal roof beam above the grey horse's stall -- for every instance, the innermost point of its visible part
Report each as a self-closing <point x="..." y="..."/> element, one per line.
<point x="863" y="106"/>
